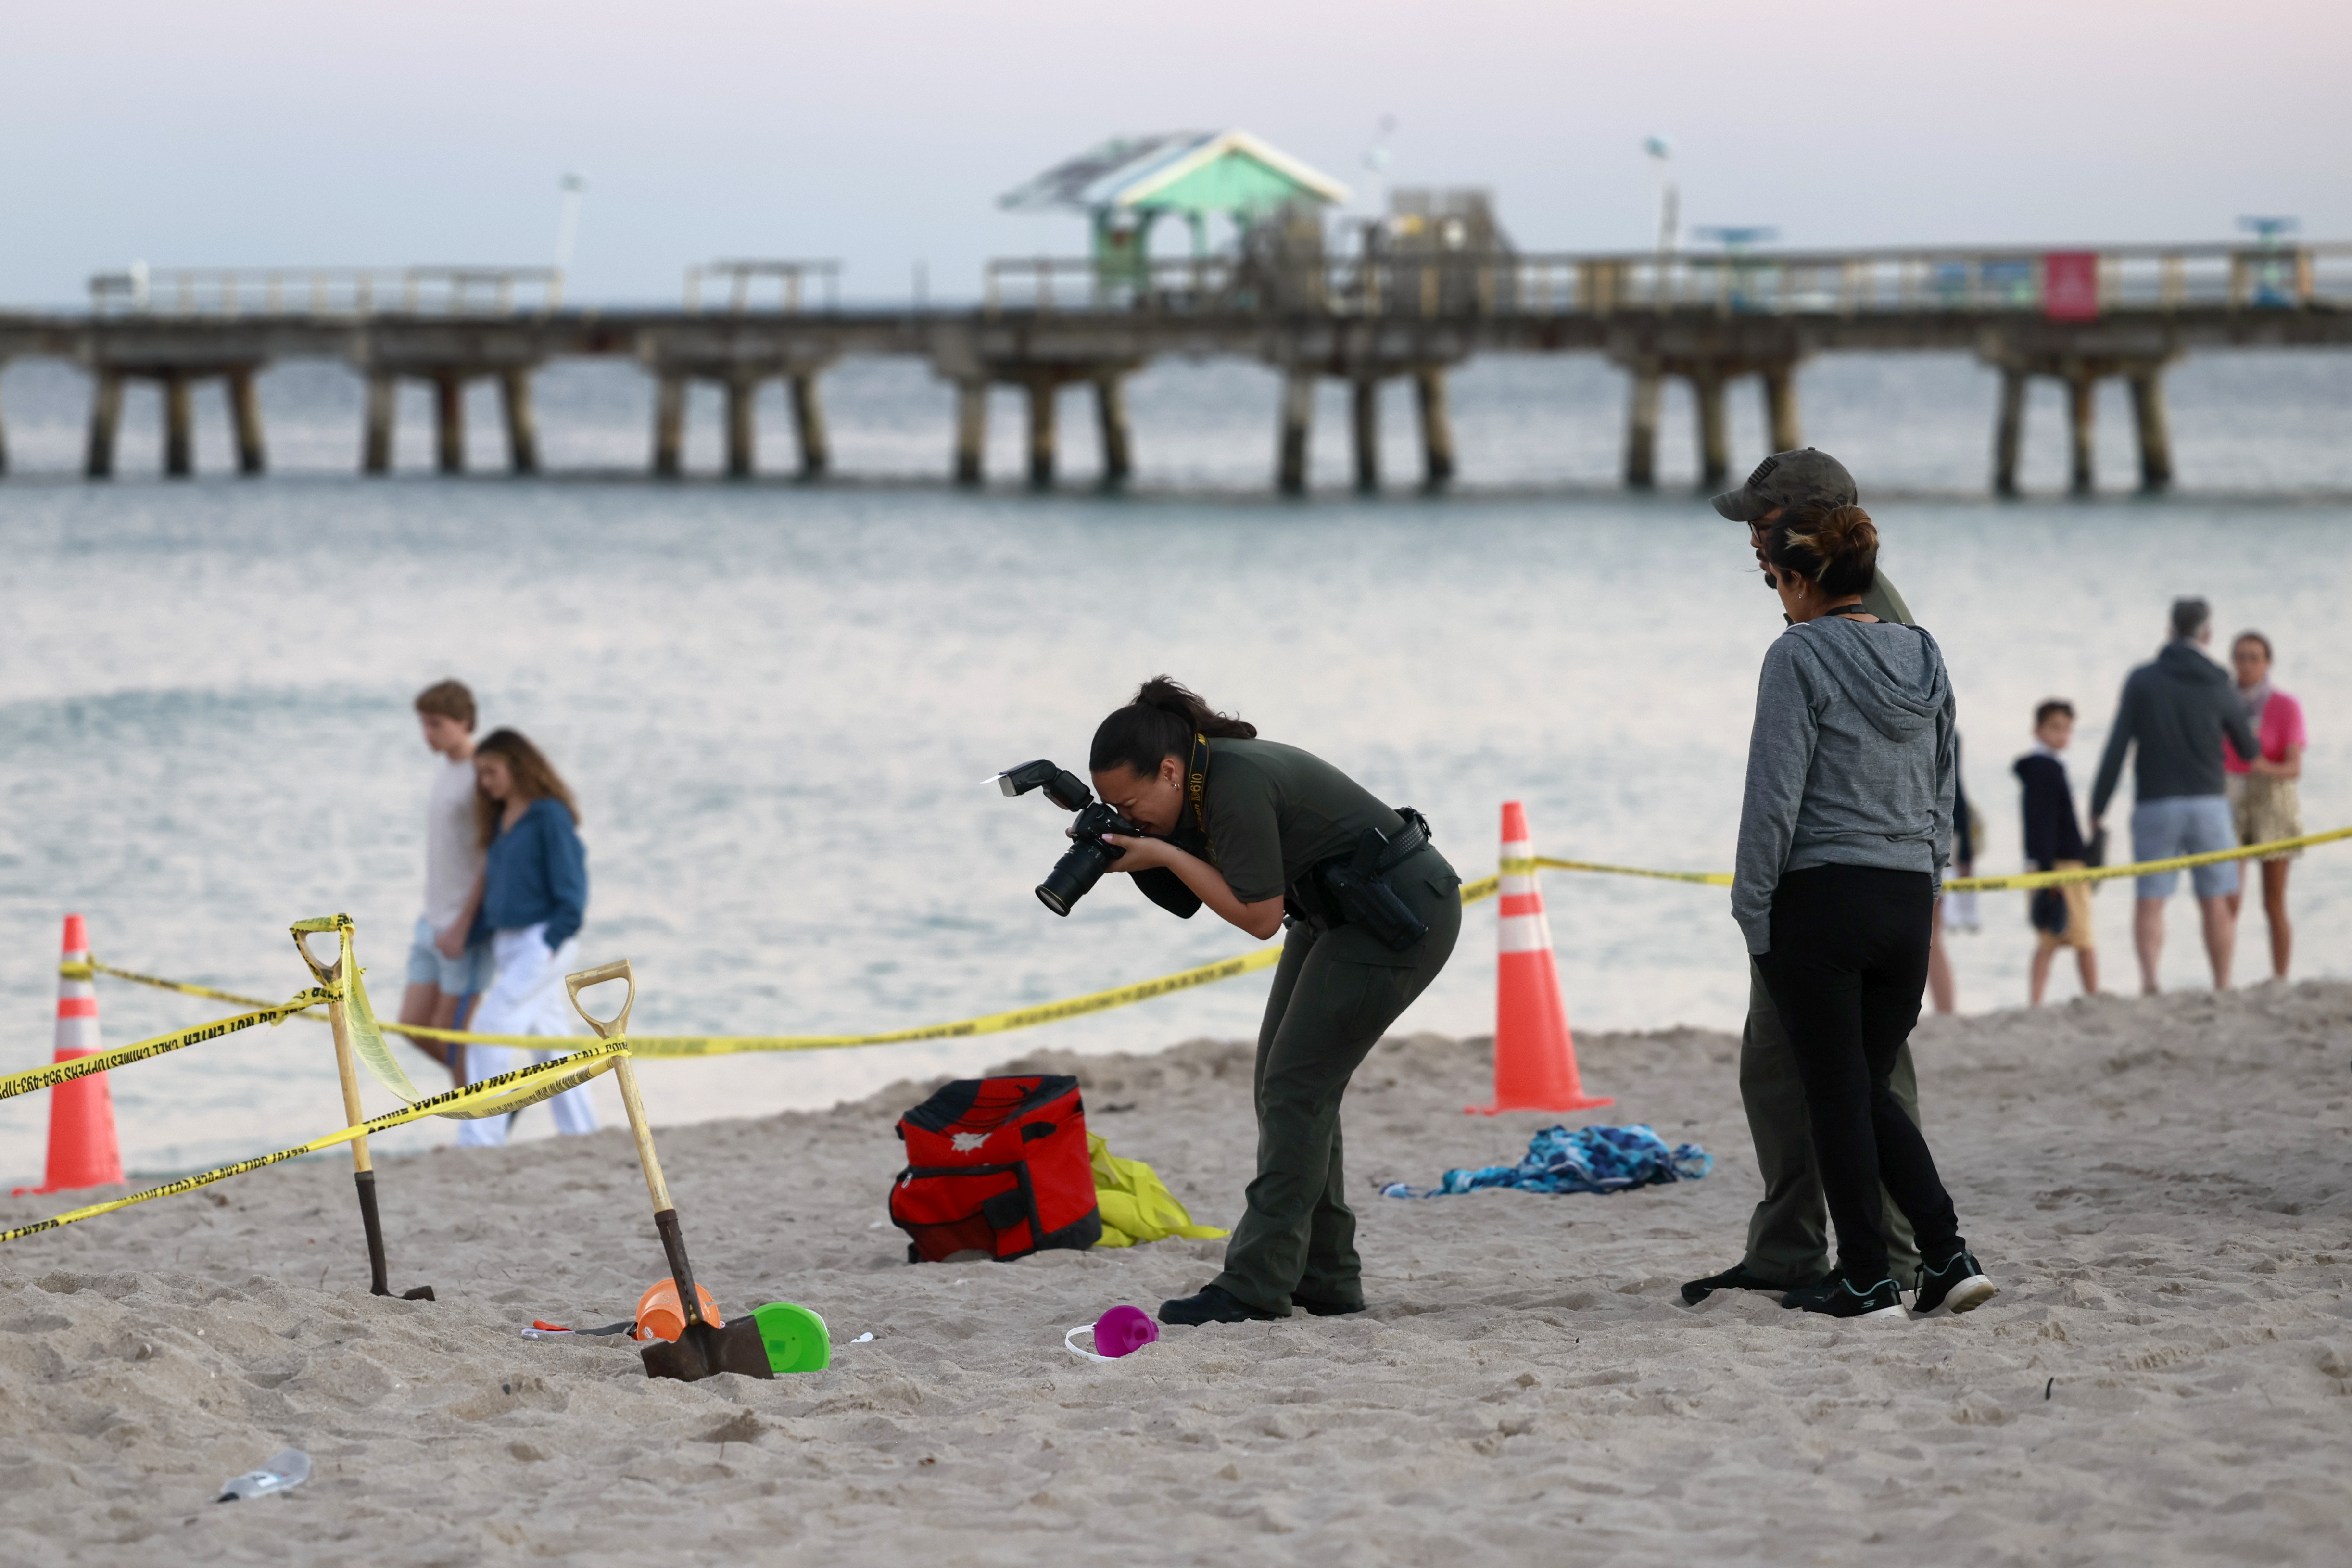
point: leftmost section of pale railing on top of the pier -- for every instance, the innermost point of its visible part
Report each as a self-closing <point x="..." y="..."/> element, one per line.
<point x="328" y="293"/>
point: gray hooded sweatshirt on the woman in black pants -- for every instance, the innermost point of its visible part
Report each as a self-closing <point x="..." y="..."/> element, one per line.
<point x="1850" y="763"/>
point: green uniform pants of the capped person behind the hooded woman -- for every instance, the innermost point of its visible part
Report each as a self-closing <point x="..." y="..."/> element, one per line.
<point x="1789" y="1238"/>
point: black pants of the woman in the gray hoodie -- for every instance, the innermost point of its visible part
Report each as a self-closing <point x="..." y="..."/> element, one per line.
<point x="1847" y="970"/>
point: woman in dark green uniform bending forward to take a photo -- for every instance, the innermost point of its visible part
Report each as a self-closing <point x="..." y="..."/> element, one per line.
<point x="1269" y="838"/>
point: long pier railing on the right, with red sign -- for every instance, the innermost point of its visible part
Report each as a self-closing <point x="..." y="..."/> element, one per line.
<point x="2057" y="283"/>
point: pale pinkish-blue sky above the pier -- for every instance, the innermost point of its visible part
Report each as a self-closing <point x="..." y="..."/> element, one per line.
<point x="881" y="133"/>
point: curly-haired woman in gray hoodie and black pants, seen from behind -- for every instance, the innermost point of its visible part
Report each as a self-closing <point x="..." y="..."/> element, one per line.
<point x="1843" y="831"/>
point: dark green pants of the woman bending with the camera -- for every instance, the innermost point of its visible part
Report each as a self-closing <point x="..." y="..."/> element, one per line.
<point x="1335" y="996"/>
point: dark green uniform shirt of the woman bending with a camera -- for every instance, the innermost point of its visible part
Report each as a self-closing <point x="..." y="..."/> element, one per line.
<point x="1276" y="810"/>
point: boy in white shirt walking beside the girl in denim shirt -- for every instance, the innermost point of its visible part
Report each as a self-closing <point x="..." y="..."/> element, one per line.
<point x="441" y="986"/>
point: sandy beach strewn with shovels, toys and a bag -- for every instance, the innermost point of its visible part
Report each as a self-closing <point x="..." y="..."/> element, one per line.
<point x="2158" y="1186"/>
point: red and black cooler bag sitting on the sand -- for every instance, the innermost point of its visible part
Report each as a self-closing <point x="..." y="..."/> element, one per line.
<point x="1001" y="1167"/>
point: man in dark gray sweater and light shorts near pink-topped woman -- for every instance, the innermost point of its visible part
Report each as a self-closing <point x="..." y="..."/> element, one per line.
<point x="2177" y="711"/>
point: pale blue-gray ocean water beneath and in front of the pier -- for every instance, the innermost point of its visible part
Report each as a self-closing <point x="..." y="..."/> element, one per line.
<point x="780" y="704"/>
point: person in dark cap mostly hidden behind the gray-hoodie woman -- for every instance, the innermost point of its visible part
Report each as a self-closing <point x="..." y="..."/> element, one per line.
<point x="1789" y="1238"/>
